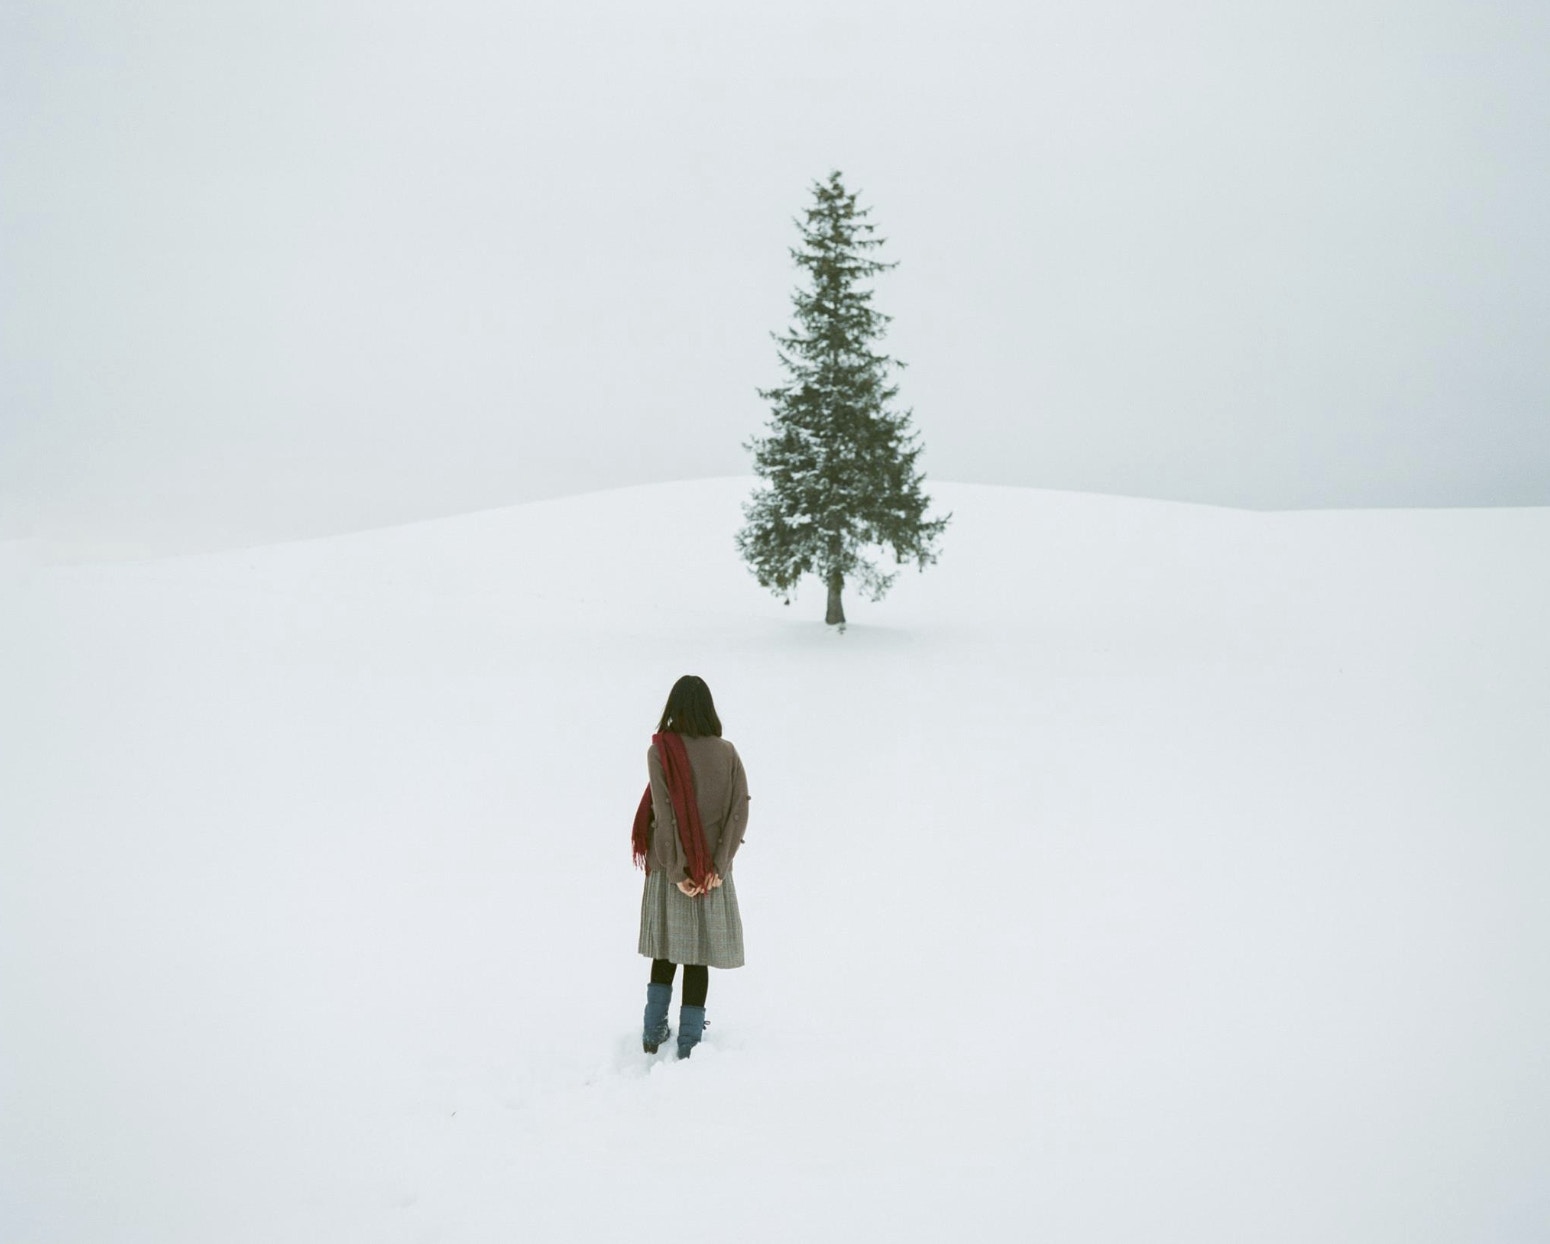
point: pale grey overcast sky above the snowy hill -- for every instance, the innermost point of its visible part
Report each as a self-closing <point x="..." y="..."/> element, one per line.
<point x="288" y="267"/>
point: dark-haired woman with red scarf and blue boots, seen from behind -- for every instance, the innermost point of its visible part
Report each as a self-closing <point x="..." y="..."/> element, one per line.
<point x="687" y="830"/>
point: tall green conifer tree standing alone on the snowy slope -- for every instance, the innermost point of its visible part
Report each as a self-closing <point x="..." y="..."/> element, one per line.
<point x="841" y="484"/>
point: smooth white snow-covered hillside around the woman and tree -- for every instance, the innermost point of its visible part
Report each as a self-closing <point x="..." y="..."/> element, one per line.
<point x="1142" y="873"/>
